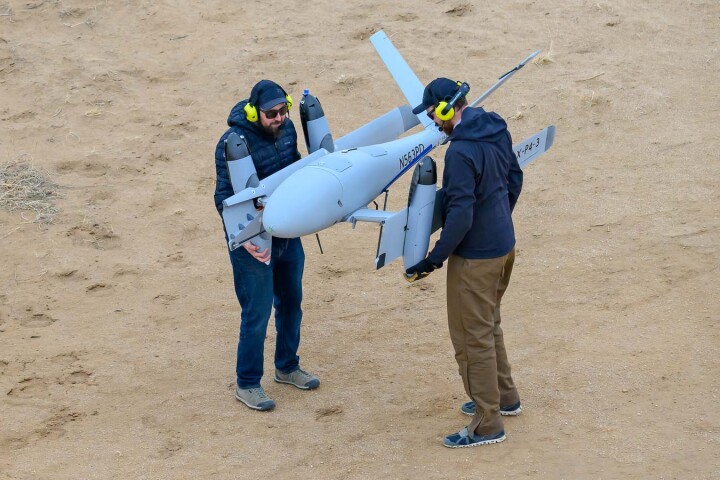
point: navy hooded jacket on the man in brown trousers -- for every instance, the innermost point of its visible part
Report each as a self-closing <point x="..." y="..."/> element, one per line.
<point x="481" y="182"/>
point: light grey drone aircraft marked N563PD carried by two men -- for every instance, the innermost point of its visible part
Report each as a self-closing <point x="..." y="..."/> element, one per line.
<point x="338" y="179"/>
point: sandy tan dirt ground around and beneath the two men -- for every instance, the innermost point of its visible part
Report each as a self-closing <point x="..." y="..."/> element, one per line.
<point x="118" y="322"/>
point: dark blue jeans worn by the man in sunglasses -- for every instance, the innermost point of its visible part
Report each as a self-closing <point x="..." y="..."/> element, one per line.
<point x="258" y="288"/>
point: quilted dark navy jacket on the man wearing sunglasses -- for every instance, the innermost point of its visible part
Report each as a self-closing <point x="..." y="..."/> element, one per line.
<point x="269" y="154"/>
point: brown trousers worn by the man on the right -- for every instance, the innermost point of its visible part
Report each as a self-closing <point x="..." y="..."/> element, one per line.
<point x="474" y="291"/>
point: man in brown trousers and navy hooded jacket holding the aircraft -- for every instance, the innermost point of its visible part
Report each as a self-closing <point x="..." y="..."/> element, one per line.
<point x="481" y="183"/>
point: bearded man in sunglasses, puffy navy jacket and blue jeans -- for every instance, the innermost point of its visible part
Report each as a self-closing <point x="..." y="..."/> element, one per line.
<point x="264" y="279"/>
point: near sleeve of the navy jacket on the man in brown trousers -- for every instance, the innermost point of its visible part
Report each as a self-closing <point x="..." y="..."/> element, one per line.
<point x="459" y="202"/>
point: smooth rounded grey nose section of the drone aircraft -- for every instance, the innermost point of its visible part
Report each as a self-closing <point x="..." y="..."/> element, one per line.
<point x="306" y="202"/>
